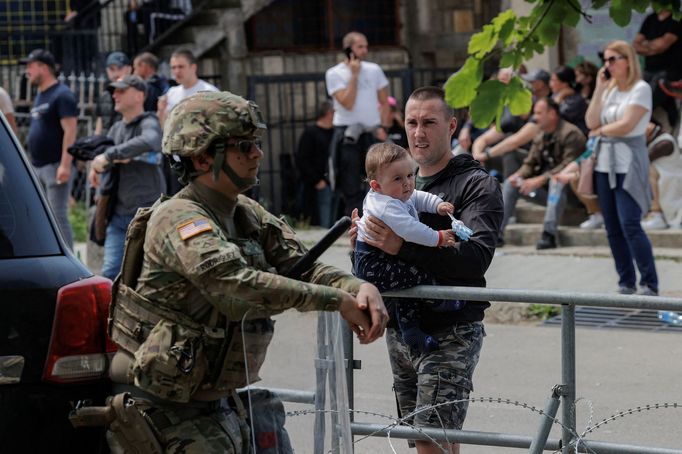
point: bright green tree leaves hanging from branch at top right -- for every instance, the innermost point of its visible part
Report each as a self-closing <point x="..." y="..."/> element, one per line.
<point x="514" y="40"/>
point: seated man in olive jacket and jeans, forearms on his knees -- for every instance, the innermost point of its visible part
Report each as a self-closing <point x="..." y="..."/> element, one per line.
<point x="555" y="147"/>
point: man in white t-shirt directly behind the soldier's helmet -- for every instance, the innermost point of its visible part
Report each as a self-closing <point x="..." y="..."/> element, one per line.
<point x="184" y="71"/>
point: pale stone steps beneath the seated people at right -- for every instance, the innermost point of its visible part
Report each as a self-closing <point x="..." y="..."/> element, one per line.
<point x="528" y="228"/>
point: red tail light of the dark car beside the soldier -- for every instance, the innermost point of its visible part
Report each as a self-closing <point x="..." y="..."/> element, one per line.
<point x="79" y="346"/>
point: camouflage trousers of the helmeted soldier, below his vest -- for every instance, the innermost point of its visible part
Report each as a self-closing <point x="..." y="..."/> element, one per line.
<point x="182" y="429"/>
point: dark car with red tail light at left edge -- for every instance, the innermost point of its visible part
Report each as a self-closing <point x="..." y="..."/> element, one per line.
<point x="53" y="311"/>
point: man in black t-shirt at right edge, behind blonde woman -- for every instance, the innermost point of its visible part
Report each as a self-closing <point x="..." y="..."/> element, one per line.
<point x="659" y="41"/>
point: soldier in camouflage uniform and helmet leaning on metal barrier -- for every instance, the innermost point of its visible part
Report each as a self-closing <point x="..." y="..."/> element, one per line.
<point x="191" y="315"/>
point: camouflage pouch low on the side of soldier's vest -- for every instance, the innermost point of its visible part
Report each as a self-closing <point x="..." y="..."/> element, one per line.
<point x="171" y="362"/>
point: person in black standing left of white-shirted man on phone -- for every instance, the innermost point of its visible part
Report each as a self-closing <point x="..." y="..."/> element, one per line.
<point x="312" y="163"/>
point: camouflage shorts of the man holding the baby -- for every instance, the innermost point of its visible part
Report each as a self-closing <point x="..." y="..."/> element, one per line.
<point x="423" y="382"/>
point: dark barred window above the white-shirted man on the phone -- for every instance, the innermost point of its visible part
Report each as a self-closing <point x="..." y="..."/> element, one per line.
<point x="320" y="25"/>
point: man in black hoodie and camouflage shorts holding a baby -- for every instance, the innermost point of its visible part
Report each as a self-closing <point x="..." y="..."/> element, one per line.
<point x="425" y="382"/>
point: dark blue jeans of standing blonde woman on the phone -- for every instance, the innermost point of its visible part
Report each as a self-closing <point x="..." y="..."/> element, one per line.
<point x="626" y="237"/>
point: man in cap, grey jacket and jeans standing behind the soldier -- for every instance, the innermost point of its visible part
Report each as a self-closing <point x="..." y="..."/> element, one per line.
<point x="132" y="166"/>
